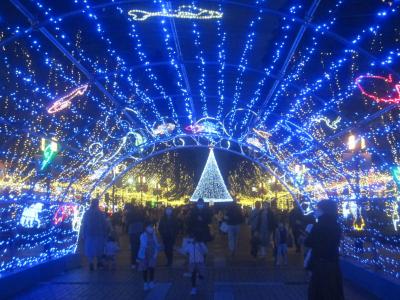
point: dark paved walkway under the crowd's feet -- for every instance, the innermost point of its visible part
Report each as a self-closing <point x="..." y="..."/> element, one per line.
<point x="238" y="278"/>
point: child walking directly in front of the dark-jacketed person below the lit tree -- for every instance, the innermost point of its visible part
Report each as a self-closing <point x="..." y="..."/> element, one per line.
<point x="196" y="252"/>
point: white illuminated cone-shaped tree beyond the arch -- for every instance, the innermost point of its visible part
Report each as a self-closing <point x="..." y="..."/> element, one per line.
<point x="211" y="186"/>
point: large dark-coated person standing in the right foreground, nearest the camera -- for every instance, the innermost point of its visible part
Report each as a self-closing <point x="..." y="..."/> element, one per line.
<point x="324" y="239"/>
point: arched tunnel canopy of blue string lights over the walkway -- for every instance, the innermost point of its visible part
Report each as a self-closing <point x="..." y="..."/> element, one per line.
<point x="283" y="84"/>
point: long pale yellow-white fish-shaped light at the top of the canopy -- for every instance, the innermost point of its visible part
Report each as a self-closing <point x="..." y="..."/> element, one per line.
<point x="183" y="12"/>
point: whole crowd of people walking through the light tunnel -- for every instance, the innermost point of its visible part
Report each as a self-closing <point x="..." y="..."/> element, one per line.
<point x="154" y="230"/>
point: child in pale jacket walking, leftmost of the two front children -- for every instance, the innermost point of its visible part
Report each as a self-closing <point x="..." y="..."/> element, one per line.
<point x="147" y="255"/>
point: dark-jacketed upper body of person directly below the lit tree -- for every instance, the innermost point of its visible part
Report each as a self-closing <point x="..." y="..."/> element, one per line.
<point x="198" y="222"/>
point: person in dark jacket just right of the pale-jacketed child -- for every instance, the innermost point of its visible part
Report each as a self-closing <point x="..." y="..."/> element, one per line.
<point x="168" y="228"/>
